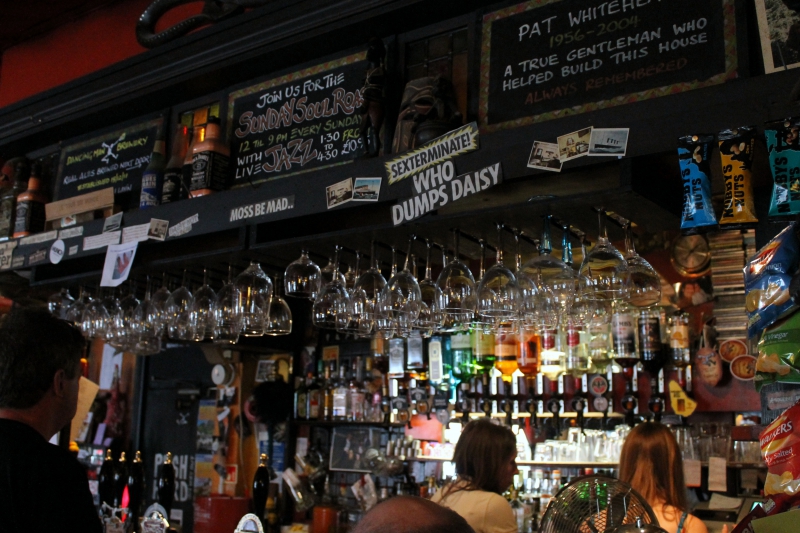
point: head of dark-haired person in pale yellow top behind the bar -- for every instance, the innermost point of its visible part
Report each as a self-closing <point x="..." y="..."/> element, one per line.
<point x="485" y="456"/>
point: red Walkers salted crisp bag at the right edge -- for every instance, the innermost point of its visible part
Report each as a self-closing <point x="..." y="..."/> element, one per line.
<point x="780" y="447"/>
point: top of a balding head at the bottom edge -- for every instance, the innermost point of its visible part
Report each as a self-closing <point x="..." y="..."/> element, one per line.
<point x="407" y="514"/>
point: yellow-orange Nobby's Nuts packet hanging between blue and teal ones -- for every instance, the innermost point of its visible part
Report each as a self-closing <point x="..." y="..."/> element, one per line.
<point x="736" y="154"/>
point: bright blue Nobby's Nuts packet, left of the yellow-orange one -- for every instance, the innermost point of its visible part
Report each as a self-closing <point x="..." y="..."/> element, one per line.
<point x="694" y="152"/>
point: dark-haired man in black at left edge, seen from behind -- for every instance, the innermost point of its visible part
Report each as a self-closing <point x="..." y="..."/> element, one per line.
<point x="42" y="486"/>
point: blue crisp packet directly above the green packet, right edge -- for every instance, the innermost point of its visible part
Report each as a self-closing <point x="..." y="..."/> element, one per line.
<point x="767" y="277"/>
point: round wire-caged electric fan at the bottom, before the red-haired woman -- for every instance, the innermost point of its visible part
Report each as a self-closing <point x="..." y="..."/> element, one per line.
<point x="598" y="504"/>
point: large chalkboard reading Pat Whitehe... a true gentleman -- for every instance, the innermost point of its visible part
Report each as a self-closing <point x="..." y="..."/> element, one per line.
<point x="544" y="59"/>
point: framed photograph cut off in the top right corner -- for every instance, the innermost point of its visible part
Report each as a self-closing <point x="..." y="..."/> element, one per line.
<point x="779" y="28"/>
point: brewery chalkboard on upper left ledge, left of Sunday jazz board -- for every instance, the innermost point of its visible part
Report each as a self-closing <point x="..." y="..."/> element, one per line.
<point x="114" y="159"/>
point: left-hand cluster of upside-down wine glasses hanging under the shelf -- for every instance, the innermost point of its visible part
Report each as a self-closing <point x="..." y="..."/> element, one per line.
<point x="245" y="305"/>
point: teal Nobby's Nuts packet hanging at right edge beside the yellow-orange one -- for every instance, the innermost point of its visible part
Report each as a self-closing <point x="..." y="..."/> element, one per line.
<point x="783" y="148"/>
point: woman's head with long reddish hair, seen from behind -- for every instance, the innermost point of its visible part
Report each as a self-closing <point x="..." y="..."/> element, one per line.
<point x="651" y="463"/>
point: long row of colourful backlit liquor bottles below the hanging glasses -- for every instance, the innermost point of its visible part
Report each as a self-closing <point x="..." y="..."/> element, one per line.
<point x="414" y="374"/>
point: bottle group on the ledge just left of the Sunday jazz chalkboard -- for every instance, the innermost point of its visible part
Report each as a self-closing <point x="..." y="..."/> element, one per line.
<point x="197" y="164"/>
